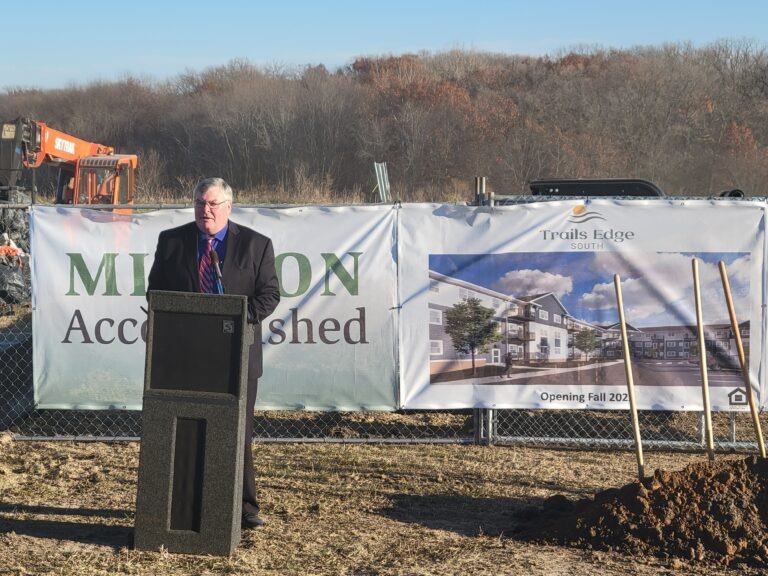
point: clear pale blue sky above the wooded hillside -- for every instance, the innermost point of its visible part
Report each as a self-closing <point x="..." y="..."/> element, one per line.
<point x="51" y="44"/>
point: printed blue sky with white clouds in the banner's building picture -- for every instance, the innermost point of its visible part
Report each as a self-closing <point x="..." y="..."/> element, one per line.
<point x="657" y="288"/>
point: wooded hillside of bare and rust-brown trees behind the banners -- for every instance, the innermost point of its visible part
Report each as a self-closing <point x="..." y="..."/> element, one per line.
<point x="692" y="120"/>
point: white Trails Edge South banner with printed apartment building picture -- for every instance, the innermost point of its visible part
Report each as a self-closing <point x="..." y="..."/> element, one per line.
<point x="516" y="307"/>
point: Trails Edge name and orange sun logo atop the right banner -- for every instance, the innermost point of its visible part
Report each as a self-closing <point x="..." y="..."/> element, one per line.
<point x="584" y="236"/>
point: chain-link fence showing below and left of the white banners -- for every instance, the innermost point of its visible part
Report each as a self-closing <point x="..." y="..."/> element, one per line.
<point x="569" y="428"/>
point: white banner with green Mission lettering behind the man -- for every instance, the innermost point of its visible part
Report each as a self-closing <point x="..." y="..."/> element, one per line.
<point x="330" y="345"/>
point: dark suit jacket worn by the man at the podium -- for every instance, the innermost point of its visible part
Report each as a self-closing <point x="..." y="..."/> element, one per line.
<point x="248" y="270"/>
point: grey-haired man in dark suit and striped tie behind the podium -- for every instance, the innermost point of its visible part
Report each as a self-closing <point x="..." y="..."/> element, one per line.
<point x="183" y="264"/>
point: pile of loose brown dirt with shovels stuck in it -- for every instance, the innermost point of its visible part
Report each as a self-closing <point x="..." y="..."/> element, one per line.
<point x="714" y="512"/>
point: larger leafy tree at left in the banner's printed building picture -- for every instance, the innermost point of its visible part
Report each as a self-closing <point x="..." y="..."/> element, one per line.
<point x="470" y="326"/>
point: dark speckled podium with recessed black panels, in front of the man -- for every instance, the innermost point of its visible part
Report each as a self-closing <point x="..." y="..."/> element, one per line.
<point x="190" y="485"/>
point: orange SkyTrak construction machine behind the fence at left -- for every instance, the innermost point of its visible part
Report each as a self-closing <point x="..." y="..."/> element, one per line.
<point x="88" y="173"/>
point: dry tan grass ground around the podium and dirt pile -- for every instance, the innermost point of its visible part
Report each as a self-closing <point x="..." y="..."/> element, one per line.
<point x="365" y="510"/>
